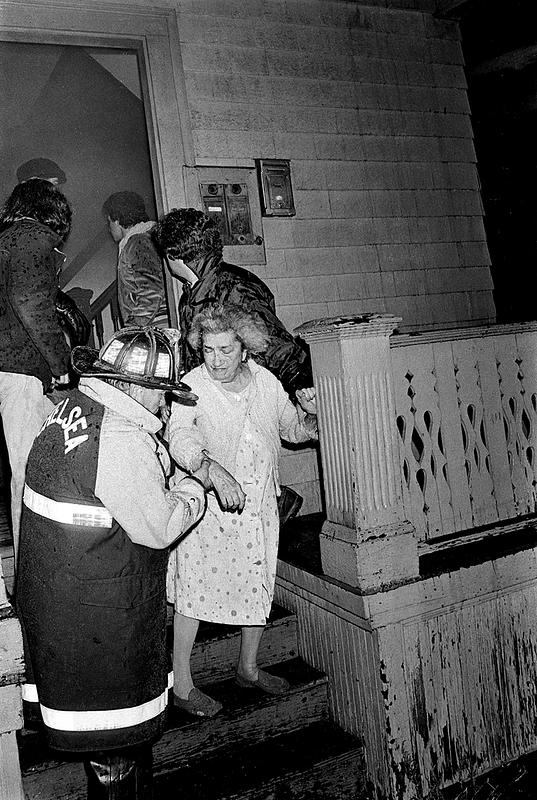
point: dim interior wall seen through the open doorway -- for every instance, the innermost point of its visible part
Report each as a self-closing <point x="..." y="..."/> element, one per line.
<point x="60" y="103"/>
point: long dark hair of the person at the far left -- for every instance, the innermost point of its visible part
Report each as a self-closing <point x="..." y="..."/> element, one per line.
<point x="40" y="200"/>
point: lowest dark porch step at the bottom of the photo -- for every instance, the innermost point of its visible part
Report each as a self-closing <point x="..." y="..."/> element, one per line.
<point x="318" y="762"/>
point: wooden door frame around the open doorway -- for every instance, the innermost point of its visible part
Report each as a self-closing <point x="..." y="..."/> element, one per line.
<point x="154" y="34"/>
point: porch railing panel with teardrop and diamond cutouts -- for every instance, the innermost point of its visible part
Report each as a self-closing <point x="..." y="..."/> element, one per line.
<point x="466" y="416"/>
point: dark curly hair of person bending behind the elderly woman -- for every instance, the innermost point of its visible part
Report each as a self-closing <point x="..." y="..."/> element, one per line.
<point x="187" y="233"/>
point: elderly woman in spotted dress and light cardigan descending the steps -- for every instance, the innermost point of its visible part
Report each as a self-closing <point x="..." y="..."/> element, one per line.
<point x="224" y="571"/>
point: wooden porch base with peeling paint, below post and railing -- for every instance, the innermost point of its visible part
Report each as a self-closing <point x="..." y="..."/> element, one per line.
<point x="437" y="677"/>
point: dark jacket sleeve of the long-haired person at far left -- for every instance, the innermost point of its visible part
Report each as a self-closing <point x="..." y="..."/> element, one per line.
<point x="32" y="286"/>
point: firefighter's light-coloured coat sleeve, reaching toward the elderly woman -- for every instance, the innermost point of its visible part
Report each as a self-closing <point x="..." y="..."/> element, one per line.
<point x="130" y="484"/>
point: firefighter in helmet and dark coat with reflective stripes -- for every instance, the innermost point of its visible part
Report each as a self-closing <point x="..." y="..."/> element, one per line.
<point x="91" y="585"/>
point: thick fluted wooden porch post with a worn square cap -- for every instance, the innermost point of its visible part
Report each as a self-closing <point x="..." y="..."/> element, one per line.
<point x="365" y="542"/>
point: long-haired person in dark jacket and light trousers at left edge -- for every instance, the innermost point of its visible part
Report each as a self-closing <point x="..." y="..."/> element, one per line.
<point x="34" y="354"/>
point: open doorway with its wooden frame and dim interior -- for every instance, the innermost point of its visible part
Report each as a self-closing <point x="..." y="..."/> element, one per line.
<point x="134" y="55"/>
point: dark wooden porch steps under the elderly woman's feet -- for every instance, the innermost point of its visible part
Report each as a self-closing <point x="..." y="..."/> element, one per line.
<point x="259" y="748"/>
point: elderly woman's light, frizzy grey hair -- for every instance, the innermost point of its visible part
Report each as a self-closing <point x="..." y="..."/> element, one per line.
<point x="248" y="327"/>
